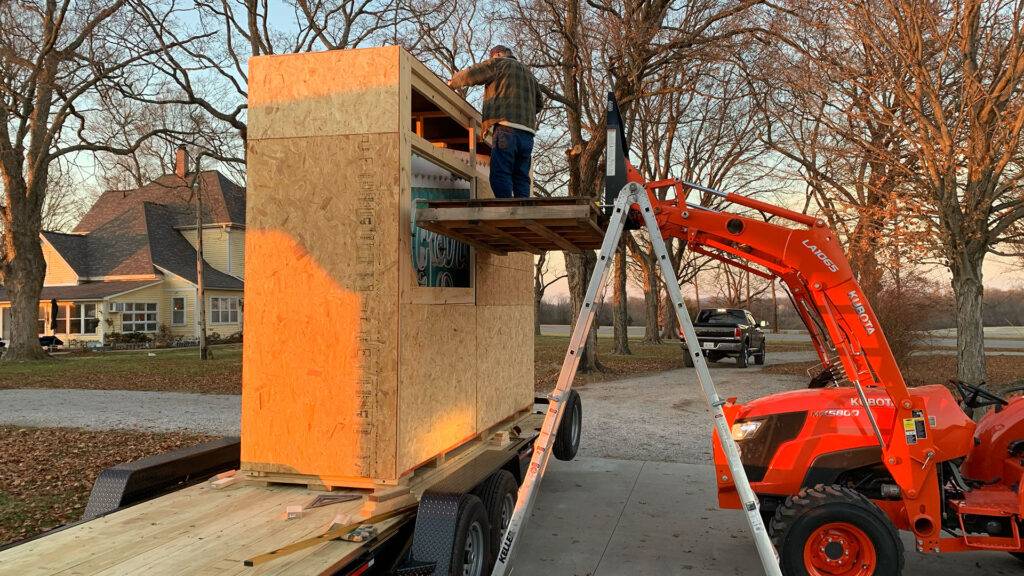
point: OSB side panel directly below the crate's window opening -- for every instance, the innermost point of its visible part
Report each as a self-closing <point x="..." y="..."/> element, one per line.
<point x="438" y="381"/>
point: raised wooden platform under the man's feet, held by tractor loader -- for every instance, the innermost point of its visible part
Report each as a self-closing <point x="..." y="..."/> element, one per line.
<point x="518" y="225"/>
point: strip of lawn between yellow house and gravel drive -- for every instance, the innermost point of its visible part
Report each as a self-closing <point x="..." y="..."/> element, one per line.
<point x="175" y="371"/>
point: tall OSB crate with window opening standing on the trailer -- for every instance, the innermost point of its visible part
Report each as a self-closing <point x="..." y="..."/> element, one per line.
<point x="356" y="369"/>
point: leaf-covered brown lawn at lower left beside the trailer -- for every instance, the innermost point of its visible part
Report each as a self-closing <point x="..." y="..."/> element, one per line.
<point x="47" y="474"/>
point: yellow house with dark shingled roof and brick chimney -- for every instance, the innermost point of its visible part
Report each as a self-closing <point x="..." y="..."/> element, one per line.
<point x="131" y="264"/>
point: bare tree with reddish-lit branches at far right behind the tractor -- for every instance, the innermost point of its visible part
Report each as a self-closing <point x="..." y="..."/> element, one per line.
<point x="937" y="87"/>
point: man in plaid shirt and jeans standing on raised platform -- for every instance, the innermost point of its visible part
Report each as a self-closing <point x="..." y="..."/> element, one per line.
<point x="511" y="102"/>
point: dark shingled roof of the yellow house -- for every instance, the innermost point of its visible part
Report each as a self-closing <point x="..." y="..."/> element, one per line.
<point x="134" y="233"/>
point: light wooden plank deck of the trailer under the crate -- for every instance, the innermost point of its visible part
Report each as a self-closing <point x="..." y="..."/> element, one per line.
<point x="205" y="530"/>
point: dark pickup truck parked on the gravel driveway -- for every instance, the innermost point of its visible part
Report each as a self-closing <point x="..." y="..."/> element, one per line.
<point x="723" y="333"/>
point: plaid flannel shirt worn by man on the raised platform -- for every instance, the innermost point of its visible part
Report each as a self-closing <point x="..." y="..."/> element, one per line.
<point x="511" y="94"/>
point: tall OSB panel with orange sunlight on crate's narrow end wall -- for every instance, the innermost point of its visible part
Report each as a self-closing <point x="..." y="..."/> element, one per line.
<point x="320" y="377"/>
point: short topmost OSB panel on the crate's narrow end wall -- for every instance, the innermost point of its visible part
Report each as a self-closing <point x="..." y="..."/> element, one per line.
<point x="325" y="94"/>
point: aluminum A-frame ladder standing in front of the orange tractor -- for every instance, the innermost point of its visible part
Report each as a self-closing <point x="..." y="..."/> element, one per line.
<point x="631" y="194"/>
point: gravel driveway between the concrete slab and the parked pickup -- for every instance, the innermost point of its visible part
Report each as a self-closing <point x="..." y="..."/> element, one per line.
<point x="664" y="418"/>
